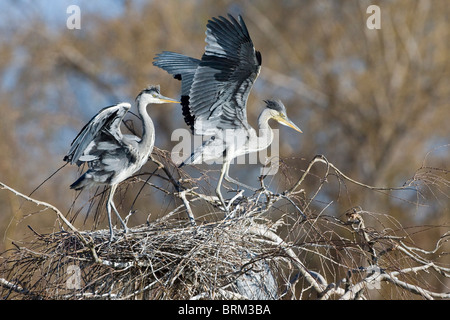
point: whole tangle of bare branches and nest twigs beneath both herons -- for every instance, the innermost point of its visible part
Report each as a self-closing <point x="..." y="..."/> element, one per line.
<point x="269" y="246"/>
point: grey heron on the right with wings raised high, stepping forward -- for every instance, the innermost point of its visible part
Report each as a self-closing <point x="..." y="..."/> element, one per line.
<point x="214" y="93"/>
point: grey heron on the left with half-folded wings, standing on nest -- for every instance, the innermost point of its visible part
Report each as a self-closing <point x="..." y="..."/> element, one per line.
<point x="110" y="155"/>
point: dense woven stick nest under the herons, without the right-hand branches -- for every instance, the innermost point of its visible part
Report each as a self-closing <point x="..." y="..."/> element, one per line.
<point x="160" y="260"/>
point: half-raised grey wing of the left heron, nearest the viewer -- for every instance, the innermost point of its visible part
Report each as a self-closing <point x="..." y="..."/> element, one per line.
<point x="100" y="133"/>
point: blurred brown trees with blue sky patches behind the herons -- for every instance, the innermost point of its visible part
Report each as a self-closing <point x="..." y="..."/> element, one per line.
<point x="375" y="103"/>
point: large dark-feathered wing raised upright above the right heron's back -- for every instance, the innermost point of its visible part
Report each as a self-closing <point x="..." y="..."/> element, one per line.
<point x="224" y="77"/>
